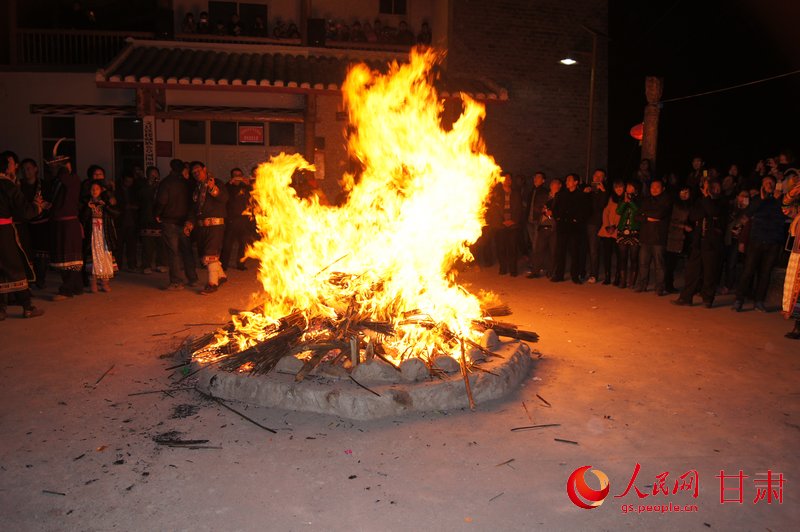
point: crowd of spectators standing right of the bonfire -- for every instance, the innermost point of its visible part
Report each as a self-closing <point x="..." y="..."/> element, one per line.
<point x="727" y="232"/>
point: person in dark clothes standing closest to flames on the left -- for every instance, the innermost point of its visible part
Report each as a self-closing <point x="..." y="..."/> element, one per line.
<point x="237" y="224"/>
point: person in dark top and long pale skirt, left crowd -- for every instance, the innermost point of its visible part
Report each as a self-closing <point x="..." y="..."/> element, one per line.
<point x="100" y="237"/>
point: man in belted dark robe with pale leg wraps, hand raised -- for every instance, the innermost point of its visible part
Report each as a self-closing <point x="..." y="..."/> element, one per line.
<point x="207" y="220"/>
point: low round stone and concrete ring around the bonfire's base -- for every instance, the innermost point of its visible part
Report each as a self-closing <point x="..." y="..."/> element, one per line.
<point x="330" y="391"/>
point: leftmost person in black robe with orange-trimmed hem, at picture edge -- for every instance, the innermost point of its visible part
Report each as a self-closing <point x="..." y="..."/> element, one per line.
<point x="14" y="263"/>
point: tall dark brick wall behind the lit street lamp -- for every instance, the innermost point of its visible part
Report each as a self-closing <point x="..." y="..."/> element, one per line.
<point x="518" y="44"/>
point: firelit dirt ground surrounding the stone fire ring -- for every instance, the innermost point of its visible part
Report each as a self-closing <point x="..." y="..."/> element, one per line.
<point x="629" y="378"/>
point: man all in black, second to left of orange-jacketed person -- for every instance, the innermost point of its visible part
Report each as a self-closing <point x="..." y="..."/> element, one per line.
<point x="570" y="213"/>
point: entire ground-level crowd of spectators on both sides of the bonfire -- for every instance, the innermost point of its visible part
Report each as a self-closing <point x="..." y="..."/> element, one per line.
<point x="726" y="233"/>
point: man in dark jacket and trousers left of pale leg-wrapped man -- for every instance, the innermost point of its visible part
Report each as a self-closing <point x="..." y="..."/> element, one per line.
<point x="172" y="212"/>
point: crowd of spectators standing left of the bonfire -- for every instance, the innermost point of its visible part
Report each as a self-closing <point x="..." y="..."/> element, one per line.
<point x="86" y="230"/>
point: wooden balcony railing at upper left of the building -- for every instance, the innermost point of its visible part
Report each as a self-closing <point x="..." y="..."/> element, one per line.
<point x="70" y="47"/>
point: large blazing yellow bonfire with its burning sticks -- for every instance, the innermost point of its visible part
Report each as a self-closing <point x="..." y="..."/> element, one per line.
<point x="375" y="276"/>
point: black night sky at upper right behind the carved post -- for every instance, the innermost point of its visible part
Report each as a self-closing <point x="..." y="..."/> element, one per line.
<point x="698" y="46"/>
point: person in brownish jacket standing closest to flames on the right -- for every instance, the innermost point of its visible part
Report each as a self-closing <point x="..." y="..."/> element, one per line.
<point x="508" y="206"/>
